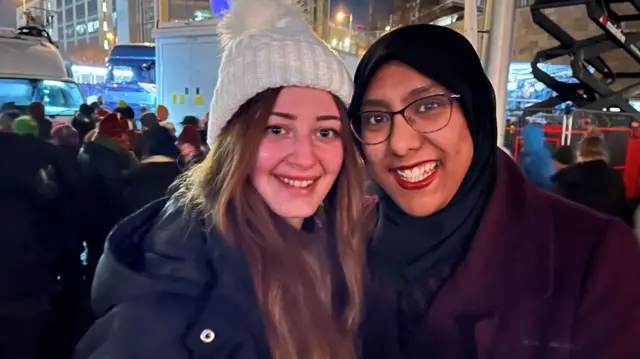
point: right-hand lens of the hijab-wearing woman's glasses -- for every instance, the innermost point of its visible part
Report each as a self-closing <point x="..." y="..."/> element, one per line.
<point x="429" y="114"/>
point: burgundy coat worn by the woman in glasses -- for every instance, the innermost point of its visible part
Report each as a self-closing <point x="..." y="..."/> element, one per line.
<point x="544" y="279"/>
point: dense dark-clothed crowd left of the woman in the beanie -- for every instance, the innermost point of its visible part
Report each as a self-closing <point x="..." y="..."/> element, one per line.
<point x="64" y="185"/>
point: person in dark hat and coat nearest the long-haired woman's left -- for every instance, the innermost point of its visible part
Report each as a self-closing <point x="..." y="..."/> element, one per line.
<point x="157" y="171"/>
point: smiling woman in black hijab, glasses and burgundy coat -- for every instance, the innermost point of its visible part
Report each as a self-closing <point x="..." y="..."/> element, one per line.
<point x="468" y="259"/>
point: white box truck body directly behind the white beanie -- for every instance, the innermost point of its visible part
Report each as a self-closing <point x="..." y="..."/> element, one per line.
<point x="188" y="57"/>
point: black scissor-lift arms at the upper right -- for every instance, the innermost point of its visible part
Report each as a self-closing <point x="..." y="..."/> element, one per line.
<point x="594" y="76"/>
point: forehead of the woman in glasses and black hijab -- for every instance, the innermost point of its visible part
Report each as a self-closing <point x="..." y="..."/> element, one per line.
<point x="397" y="82"/>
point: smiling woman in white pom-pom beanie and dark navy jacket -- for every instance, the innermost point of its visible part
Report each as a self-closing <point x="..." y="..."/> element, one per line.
<point x="258" y="253"/>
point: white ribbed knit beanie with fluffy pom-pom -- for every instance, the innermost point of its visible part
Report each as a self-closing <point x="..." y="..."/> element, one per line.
<point x="269" y="44"/>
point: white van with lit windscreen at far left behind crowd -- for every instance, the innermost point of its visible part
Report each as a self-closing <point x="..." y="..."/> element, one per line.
<point x="32" y="69"/>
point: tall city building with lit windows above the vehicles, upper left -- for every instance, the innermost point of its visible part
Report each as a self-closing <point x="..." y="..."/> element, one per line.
<point x="83" y="29"/>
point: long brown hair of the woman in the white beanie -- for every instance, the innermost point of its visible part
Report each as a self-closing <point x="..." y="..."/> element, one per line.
<point x="294" y="296"/>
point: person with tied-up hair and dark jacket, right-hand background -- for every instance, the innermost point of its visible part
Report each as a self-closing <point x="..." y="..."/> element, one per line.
<point x="592" y="182"/>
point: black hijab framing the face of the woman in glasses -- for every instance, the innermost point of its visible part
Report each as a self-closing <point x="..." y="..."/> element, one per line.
<point x="415" y="255"/>
